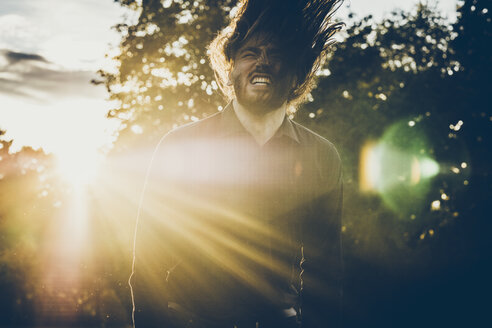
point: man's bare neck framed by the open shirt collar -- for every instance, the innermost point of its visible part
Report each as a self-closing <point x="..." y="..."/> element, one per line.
<point x="262" y="126"/>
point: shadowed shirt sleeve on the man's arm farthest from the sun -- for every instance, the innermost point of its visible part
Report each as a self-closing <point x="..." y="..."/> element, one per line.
<point x="322" y="267"/>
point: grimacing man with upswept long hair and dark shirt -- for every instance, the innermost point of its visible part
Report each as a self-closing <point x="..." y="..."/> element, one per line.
<point x="241" y="220"/>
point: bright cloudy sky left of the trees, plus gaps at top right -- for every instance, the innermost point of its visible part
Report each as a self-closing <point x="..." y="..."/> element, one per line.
<point x="51" y="49"/>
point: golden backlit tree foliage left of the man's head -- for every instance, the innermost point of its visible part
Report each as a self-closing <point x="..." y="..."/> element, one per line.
<point x="164" y="77"/>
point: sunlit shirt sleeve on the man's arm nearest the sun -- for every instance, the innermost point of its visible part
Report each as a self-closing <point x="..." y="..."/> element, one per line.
<point x="152" y="256"/>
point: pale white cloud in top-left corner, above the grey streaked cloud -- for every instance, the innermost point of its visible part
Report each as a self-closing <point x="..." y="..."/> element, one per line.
<point x="76" y="37"/>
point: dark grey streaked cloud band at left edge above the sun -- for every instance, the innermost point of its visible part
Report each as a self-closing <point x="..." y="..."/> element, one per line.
<point x="34" y="78"/>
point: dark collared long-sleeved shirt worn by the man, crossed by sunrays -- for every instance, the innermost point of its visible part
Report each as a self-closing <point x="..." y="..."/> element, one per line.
<point x="231" y="229"/>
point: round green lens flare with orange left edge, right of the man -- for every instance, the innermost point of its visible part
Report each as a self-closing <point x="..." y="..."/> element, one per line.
<point x="399" y="167"/>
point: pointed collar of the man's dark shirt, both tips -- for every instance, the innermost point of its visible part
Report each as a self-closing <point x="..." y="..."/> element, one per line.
<point x="230" y="125"/>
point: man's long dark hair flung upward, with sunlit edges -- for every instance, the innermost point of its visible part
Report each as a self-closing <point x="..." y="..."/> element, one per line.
<point x="303" y="29"/>
